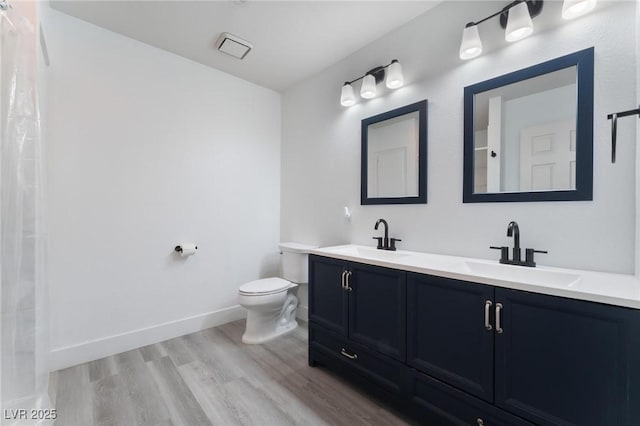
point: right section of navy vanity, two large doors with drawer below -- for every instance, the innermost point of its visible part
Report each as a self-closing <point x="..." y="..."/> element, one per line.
<point x="491" y="352"/>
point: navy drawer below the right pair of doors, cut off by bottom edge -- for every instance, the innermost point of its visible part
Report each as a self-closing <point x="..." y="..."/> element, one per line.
<point x="437" y="404"/>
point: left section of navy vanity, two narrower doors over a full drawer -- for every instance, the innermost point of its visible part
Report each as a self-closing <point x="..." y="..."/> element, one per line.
<point x="357" y="320"/>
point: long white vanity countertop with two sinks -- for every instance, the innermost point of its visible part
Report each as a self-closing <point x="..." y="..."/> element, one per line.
<point x="601" y="287"/>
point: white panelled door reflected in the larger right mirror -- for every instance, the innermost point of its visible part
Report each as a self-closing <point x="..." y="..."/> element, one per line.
<point x="548" y="156"/>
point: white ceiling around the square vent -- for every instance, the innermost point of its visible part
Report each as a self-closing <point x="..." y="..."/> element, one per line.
<point x="292" y="40"/>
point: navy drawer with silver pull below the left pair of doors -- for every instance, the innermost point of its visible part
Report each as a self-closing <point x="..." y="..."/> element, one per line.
<point x="384" y="372"/>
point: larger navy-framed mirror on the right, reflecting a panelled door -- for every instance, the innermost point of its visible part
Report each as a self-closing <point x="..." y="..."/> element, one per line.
<point x="528" y="135"/>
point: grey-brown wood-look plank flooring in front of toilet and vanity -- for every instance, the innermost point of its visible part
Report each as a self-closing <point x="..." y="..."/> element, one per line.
<point x="211" y="377"/>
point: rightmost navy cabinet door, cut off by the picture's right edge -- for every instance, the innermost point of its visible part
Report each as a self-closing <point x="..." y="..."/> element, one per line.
<point x="567" y="362"/>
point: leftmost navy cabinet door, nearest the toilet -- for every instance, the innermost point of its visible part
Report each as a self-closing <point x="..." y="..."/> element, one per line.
<point x="327" y="298"/>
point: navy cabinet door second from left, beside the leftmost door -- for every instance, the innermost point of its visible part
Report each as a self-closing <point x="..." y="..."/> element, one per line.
<point x="377" y="309"/>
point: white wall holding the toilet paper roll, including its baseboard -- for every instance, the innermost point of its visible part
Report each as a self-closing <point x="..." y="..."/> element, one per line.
<point x="146" y="150"/>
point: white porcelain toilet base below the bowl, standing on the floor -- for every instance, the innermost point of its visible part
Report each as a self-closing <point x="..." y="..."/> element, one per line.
<point x="264" y="325"/>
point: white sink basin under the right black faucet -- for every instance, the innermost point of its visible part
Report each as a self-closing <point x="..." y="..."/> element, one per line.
<point x="519" y="274"/>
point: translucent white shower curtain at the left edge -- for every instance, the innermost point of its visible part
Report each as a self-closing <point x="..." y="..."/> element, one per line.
<point x="23" y="296"/>
